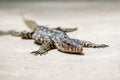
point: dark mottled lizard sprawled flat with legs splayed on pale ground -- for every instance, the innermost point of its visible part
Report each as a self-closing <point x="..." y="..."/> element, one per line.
<point x="55" y="38"/>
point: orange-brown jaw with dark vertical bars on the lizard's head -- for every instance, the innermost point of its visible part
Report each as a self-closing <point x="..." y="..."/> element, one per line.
<point x="70" y="48"/>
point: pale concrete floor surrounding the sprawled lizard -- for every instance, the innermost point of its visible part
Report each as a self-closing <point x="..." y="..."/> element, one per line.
<point x="98" y="22"/>
